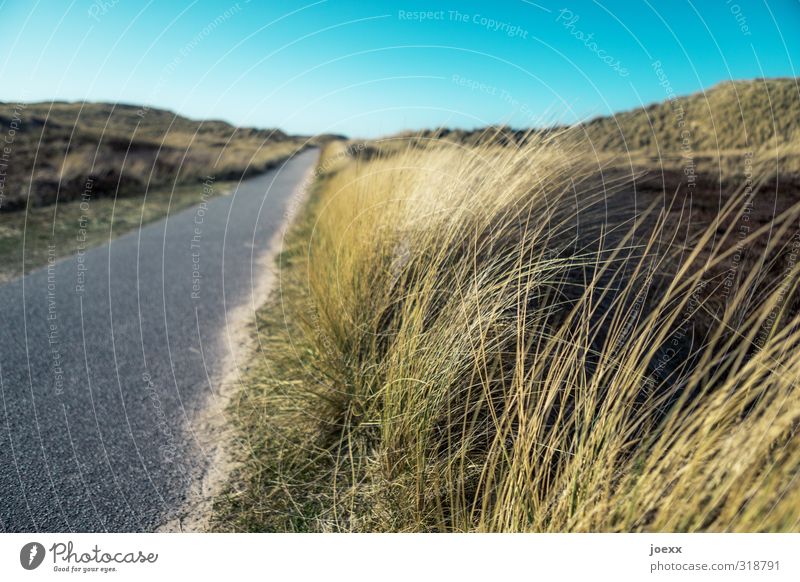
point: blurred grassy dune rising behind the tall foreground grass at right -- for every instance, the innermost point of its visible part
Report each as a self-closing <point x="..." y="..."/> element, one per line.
<point x="717" y="132"/>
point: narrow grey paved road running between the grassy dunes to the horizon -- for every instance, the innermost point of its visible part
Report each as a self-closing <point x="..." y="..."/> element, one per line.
<point x="106" y="359"/>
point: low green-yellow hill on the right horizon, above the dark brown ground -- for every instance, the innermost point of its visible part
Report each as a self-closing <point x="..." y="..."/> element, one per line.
<point x="730" y="117"/>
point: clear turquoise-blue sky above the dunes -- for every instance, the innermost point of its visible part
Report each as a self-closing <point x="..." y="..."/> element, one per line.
<point x="369" y="68"/>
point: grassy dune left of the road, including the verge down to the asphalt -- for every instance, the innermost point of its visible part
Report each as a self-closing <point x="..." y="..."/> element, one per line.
<point x="76" y="174"/>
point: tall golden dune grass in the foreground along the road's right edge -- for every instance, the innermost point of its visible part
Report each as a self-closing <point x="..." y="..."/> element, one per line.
<point x="486" y="338"/>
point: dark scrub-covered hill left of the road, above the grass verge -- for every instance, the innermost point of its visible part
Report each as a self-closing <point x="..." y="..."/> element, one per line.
<point x="59" y="151"/>
